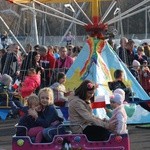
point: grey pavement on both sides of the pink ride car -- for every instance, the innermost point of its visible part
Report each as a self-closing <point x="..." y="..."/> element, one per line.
<point x="139" y="138"/>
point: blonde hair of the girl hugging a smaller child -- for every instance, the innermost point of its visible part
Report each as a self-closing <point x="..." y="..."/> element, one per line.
<point x="49" y="91"/>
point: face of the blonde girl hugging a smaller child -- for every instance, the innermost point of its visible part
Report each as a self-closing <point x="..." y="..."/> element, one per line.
<point x="45" y="99"/>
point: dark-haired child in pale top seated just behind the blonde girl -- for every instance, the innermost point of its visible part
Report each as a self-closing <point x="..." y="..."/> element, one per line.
<point x="60" y="90"/>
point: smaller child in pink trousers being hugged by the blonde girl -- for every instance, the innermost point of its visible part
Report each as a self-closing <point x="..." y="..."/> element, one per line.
<point x="29" y="122"/>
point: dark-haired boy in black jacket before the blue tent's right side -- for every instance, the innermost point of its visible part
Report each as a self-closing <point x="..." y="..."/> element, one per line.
<point x="118" y="83"/>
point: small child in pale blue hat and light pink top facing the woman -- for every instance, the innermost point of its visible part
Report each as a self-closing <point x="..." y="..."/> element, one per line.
<point x="119" y="116"/>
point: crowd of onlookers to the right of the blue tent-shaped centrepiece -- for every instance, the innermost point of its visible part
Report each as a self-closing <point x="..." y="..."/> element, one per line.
<point x="137" y="59"/>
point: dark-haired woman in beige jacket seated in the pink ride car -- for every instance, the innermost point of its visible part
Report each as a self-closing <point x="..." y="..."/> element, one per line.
<point x="80" y="113"/>
